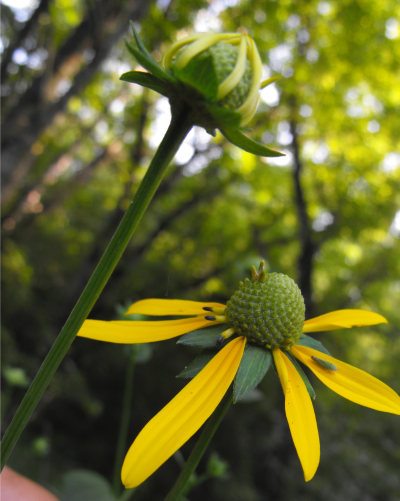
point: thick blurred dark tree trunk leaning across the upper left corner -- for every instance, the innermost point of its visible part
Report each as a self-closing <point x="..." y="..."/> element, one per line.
<point x="25" y="123"/>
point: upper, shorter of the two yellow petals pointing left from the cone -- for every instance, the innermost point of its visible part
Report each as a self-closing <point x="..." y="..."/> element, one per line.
<point x="165" y="307"/>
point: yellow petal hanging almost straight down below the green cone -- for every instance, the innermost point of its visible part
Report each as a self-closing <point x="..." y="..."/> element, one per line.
<point x="300" y="414"/>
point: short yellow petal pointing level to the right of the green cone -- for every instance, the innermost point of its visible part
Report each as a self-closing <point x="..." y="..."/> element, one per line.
<point x="343" y="319"/>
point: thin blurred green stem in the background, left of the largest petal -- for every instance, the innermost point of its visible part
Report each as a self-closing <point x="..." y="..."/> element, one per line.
<point x="125" y="416"/>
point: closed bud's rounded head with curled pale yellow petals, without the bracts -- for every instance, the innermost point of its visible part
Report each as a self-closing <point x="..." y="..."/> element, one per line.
<point x="225" y="69"/>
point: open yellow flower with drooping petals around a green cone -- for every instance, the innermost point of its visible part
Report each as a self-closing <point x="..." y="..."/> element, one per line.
<point x="186" y="413"/>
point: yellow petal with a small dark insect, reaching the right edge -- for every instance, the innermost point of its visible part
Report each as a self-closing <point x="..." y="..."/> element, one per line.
<point x="350" y="382"/>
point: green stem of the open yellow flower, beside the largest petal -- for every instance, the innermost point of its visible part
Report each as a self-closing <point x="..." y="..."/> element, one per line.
<point x="200" y="447"/>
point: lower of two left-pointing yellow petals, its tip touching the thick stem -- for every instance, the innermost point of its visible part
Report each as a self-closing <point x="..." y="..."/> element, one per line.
<point x="131" y="332"/>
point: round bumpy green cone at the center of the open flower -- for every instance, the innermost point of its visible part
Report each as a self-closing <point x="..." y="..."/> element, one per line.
<point x="268" y="311"/>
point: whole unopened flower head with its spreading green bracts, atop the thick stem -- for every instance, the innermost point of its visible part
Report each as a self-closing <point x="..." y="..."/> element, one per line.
<point x="217" y="77"/>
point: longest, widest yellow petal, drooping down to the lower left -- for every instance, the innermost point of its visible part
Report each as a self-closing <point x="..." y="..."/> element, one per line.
<point x="182" y="417"/>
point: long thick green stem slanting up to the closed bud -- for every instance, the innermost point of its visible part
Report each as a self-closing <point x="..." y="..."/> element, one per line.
<point x="176" y="133"/>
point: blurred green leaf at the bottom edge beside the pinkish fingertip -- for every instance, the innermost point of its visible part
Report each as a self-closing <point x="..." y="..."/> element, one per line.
<point x="86" y="485"/>
